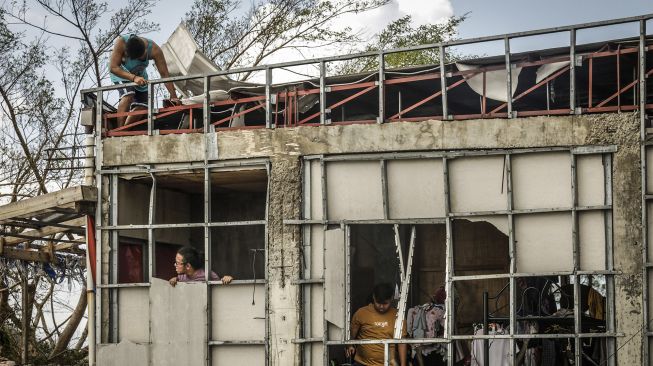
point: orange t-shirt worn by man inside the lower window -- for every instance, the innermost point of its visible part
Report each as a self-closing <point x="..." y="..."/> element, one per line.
<point x="367" y="323"/>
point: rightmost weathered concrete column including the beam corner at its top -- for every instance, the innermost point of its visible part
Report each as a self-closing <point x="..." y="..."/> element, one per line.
<point x="623" y="131"/>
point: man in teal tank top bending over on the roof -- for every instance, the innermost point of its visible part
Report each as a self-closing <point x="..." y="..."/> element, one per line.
<point x="130" y="57"/>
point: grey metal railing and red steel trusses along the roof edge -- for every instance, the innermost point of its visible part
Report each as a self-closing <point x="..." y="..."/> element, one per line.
<point x="277" y="105"/>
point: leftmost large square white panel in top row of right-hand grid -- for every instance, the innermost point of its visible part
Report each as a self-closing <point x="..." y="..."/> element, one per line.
<point x="354" y="190"/>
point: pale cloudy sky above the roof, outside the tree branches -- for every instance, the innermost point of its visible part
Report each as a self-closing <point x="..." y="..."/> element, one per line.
<point x="484" y="17"/>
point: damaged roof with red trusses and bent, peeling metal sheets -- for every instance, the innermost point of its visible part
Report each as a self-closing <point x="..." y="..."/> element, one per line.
<point x="602" y="78"/>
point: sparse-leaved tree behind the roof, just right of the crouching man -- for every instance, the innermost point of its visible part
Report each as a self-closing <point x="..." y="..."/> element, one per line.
<point x="233" y="40"/>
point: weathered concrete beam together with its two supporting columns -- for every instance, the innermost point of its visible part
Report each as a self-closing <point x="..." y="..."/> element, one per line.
<point x="284" y="147"/>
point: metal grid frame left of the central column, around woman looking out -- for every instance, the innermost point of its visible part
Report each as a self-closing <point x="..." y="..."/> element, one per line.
<point x="108" y="288"/>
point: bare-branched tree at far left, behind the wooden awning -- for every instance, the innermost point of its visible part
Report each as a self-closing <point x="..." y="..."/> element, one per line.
<point x="39" y="152"/>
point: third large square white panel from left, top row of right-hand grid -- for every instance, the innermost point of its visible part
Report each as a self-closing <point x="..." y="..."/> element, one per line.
<point x="477" y="183"/>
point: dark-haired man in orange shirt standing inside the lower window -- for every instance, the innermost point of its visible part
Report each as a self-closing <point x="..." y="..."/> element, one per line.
<point x="376" y="321"/>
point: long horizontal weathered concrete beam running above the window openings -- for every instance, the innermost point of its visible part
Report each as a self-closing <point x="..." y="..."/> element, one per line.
<point x="401" y="136"/>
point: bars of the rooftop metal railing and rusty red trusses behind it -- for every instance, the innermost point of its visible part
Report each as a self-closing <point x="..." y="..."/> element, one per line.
<point x="292" y="115"/>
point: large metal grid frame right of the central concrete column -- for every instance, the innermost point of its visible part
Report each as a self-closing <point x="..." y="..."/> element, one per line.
<point x="307" y="282"/>
